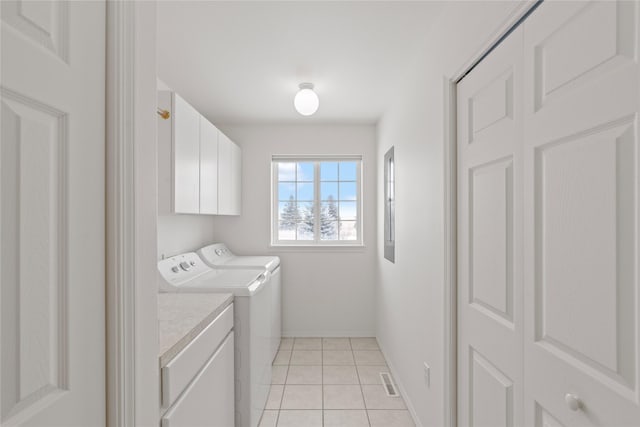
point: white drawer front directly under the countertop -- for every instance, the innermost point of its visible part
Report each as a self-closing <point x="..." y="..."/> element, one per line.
<point x="181" y="370"/>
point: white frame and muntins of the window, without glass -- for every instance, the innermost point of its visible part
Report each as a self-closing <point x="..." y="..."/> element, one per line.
<point x="317" y="242"/>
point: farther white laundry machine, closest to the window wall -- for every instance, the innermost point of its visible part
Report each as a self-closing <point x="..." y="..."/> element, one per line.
<point x="218" y="256"/>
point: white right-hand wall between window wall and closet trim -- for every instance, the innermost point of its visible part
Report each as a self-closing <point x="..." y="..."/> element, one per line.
<point x="410" y="293"/>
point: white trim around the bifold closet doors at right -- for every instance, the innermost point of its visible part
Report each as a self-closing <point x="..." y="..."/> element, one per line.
<point x="450" y="209"/>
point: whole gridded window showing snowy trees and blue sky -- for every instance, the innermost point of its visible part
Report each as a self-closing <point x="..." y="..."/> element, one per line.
<point x="316" y="200"/>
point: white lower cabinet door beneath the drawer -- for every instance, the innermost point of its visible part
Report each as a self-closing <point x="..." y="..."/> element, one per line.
<point x="209" y="400"/>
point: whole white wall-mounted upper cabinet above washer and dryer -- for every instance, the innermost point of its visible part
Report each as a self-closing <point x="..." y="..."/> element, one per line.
<point x="198" y="166"/>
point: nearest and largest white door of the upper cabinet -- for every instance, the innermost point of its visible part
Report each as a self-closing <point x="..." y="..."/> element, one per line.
<point x="186" y="157"/>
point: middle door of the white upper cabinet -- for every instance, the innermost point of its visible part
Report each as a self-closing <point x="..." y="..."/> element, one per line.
<point x="208" y="167"/>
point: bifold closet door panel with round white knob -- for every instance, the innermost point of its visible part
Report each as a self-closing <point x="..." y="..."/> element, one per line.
<point x="582" y="98"/>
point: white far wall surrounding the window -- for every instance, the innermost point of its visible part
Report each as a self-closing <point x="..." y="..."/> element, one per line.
<point x="326" y="292"/>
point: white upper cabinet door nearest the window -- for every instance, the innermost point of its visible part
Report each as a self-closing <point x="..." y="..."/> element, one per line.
<point x="229" y="176"/>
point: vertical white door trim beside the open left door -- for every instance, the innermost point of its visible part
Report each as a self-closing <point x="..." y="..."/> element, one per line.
<point x="120" y="215"/>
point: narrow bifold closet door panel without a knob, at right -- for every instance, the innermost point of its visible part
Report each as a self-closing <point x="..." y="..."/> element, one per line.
<point x="489" y="232"/>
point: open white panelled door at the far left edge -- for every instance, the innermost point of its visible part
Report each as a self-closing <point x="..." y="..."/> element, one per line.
<point x="52" y="180"/>
